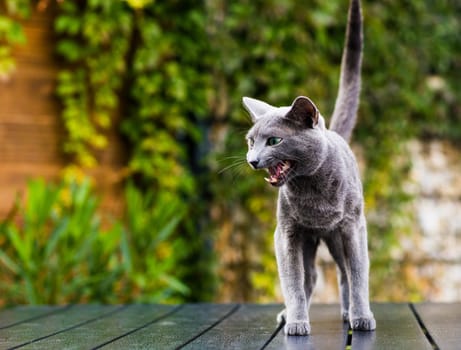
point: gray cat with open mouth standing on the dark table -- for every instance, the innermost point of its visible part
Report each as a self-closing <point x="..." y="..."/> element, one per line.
<point x="320" y="192"/>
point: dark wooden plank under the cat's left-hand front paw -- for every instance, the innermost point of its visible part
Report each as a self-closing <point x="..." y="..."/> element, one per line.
<point x="328" y="331"/>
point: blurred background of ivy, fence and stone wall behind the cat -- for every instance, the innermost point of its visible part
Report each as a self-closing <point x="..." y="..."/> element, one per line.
<point x="122" y="152"/>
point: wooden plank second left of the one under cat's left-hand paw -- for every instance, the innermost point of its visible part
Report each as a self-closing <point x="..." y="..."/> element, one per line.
<point x="176" y="330"/>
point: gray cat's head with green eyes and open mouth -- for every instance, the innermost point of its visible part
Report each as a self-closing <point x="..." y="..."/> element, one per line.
<point x="286" y="141"/>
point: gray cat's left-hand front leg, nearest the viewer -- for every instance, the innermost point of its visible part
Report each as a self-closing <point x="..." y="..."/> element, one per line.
<point x="291" y="273"/>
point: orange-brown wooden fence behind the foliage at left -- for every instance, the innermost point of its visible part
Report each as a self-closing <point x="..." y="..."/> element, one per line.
<point x="31" y="130"/>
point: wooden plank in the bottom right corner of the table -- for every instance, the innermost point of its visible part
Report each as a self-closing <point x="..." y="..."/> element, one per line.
<point x="443" y="323"/>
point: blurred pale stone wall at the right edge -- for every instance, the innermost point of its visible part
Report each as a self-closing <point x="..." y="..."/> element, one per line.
<point x="436" y="186"/>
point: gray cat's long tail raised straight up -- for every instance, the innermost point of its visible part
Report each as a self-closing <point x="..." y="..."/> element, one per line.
<point x="347" y="102"/>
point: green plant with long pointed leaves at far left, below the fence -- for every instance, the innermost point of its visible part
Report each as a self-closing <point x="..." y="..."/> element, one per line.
<point x="56" y="251"/>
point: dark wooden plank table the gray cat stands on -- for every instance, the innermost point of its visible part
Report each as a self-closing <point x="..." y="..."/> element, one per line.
<point x="223" y="326"/>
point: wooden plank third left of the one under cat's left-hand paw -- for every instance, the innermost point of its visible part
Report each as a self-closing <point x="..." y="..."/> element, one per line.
<point x="104" y="330"/>
